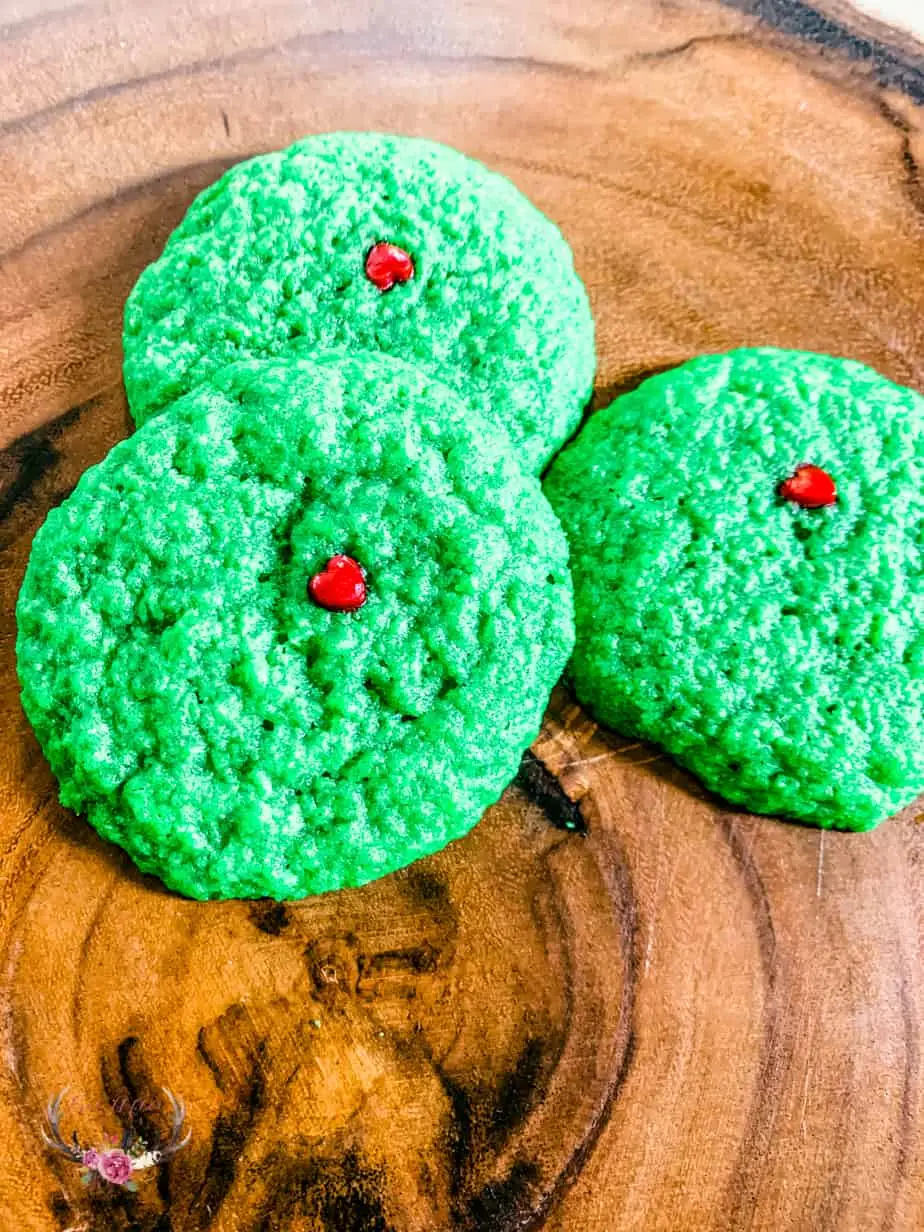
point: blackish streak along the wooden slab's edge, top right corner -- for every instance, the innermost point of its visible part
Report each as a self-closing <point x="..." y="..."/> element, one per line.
<point x="893" y="67"/>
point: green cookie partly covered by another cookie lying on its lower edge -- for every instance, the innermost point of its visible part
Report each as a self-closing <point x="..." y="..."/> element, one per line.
<point x="300" y="247"/>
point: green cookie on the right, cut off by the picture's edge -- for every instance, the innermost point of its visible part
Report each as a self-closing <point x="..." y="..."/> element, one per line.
<point x="776" y="650"/>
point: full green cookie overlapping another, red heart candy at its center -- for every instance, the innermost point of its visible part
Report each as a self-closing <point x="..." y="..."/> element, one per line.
<point x="194" y="691"/>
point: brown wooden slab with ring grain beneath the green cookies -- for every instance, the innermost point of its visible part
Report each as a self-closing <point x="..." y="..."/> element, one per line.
<point x="617" y="1006"/>
